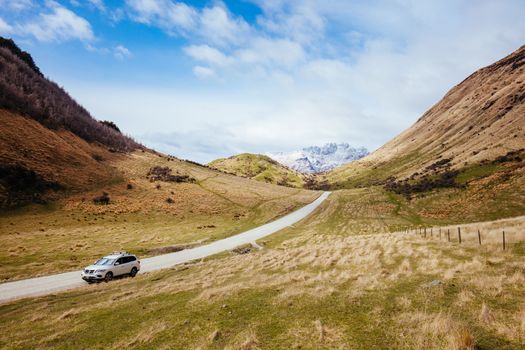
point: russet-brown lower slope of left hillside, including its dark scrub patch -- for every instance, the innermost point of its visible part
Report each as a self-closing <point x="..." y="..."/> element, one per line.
<point x="36" y="163"/>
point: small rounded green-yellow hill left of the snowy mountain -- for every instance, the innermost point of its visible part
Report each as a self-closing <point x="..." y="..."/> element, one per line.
<point x="261" y="168"/>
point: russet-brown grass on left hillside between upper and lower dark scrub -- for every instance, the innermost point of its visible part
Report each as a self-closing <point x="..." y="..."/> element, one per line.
<point x="57" y="156"/>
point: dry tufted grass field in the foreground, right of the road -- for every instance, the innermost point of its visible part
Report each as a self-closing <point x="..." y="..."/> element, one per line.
<point x="308" y="288"/>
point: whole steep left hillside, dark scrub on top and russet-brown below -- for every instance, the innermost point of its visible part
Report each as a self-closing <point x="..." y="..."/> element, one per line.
<point x="49" y="144"/>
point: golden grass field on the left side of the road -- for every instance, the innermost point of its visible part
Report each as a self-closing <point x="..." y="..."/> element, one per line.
<point x="74" y="232"/>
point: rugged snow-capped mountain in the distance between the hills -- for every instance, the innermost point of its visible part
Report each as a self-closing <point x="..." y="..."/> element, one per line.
<point x="318" y="159"/>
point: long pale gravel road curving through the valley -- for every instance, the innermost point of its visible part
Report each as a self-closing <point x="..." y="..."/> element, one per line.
<point x="69" y="280"/>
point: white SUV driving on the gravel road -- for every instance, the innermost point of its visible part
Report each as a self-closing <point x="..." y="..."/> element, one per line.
<point x="115" y="264"/>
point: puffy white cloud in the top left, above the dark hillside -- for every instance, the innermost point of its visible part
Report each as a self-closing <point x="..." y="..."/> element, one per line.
<point x="60" y="24"/>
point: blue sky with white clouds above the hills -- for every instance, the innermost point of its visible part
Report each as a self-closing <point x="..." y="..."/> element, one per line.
<point x="206" y="79"/>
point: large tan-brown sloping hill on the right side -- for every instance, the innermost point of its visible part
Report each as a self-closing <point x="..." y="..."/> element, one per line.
<point x="476" y="122"/>
